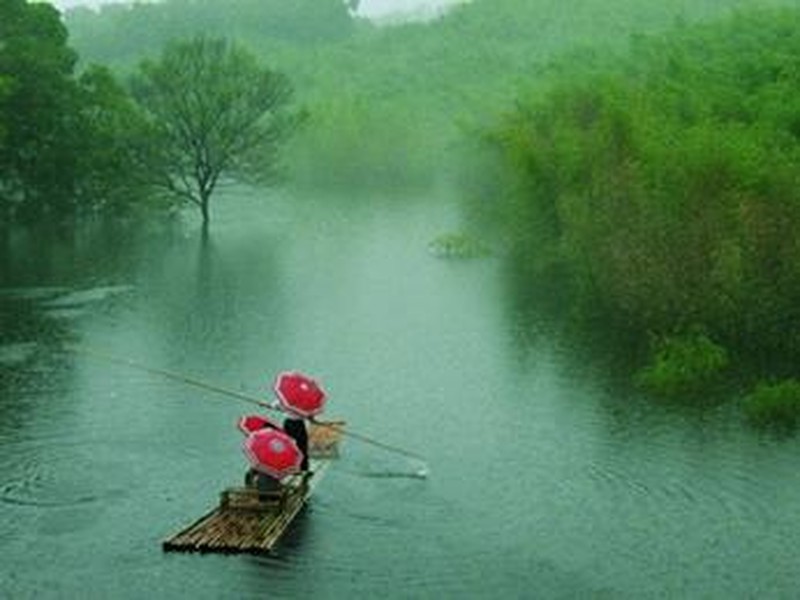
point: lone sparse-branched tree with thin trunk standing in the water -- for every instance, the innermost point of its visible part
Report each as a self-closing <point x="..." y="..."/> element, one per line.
<point x="215" y="113"/>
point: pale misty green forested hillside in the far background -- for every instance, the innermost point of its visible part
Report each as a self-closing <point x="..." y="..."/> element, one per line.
<point x="386" y="104"/>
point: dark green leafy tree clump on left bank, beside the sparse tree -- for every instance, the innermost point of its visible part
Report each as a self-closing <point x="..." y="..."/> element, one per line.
<point x="61" y="135"/>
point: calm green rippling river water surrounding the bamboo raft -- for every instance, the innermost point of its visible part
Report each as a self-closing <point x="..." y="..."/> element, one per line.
<point x="544" y="482"/>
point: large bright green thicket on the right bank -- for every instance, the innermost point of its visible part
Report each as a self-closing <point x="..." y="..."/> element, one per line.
<point x="665" y="189"/>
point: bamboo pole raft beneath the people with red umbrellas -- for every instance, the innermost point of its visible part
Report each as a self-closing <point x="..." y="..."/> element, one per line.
<point x="251" y="521"/>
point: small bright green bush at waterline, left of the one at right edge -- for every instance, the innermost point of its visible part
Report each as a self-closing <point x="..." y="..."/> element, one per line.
<point x="684" y="364"/>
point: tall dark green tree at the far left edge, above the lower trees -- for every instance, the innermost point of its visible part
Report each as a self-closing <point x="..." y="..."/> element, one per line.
<point x="37" y="101"/>
